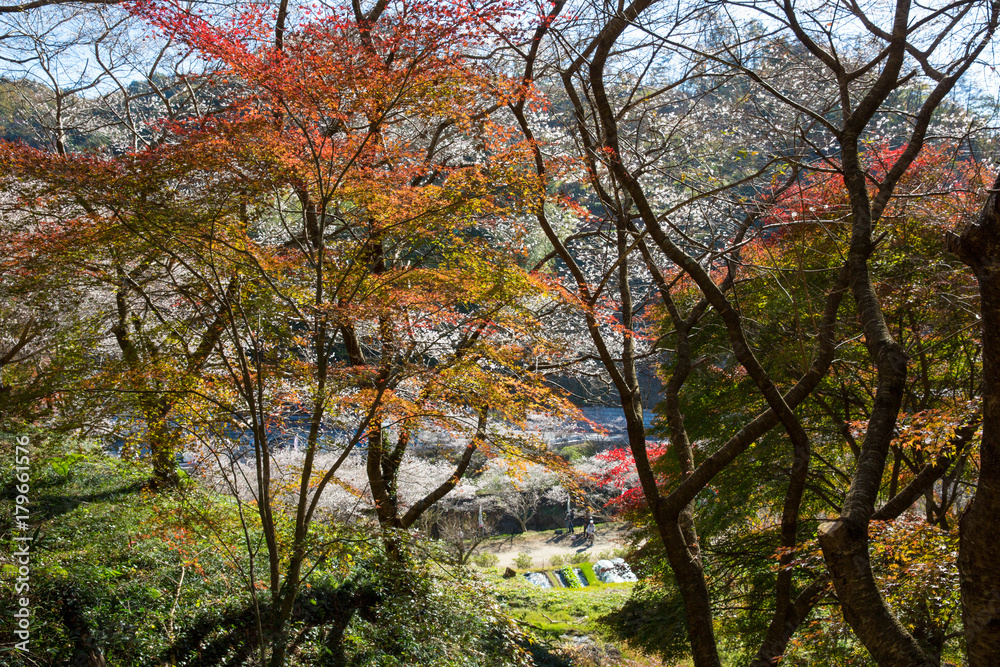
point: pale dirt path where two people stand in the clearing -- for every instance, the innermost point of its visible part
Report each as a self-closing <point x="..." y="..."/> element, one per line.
<point x="541" y="546"/>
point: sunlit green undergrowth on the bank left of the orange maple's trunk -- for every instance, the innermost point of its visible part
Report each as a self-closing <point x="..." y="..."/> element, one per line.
<point x="122" y="556"/>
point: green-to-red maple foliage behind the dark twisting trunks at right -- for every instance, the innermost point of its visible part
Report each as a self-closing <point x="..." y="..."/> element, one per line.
<point x="930" y="306"/>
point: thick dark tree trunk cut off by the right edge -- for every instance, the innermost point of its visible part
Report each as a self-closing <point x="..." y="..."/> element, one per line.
<point x="979" y="550"/>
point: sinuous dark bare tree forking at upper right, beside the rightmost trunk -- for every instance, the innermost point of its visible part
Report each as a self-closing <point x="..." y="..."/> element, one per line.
<point x="863" y="88"/>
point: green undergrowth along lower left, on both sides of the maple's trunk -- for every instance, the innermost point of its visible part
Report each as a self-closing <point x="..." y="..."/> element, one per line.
<point x="158" y="579"/>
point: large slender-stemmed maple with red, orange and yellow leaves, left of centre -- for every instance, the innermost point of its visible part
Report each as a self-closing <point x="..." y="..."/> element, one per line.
<point x="344" y="224"/>
